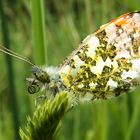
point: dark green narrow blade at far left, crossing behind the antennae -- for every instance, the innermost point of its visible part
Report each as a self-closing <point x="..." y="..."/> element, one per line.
<point x="11" y="86"/>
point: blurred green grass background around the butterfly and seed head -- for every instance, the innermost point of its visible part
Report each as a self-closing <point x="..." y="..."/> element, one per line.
<point x="67" y="22"/>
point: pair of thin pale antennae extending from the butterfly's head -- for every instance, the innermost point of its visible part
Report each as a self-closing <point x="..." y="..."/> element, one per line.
<point x="11" y="53"/>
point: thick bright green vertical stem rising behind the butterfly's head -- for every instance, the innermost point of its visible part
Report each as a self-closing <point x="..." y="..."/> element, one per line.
<point x="38" y="30"/>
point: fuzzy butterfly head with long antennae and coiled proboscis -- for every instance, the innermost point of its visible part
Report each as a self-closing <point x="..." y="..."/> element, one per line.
<point x="42" y="77"/>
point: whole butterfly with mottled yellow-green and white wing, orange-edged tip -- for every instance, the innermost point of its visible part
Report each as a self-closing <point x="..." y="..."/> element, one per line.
<point x="106" y="63"/>
